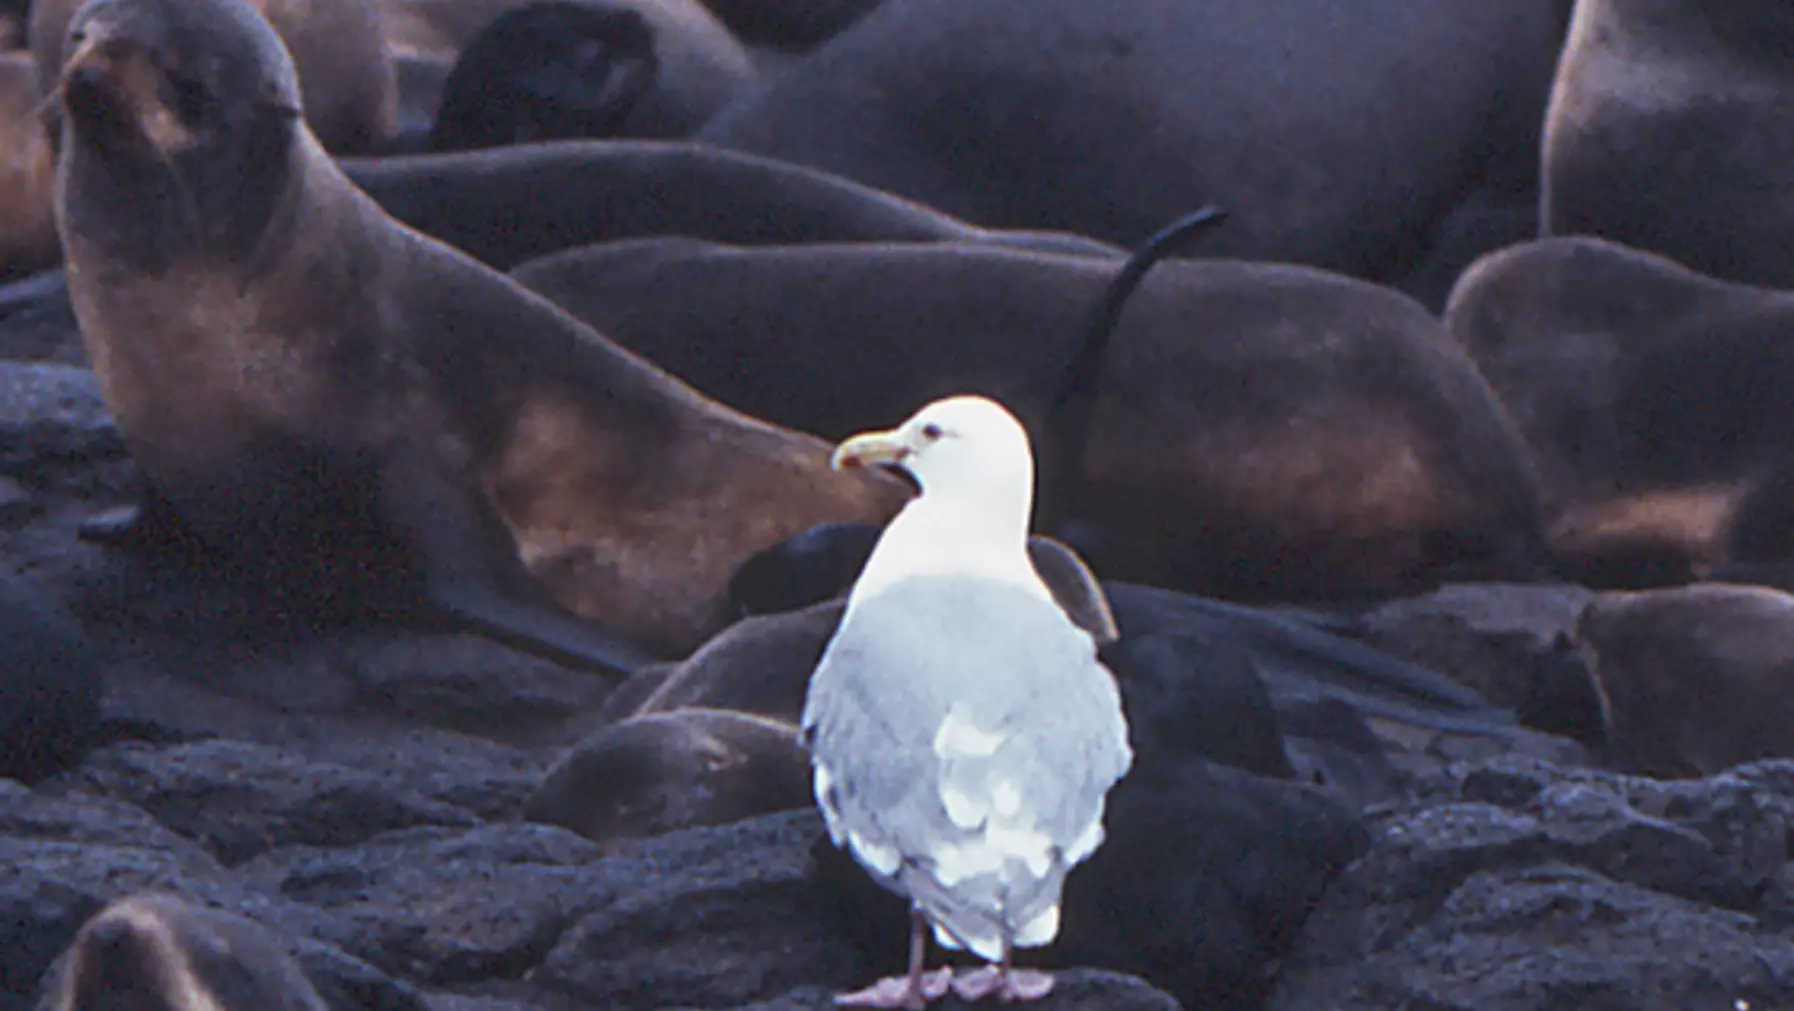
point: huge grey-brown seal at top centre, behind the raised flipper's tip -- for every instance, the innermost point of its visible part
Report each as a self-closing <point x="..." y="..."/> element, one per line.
<point x="1111" y="119"/>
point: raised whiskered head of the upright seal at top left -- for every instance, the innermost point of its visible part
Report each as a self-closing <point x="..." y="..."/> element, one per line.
<point x="182" y="130"/>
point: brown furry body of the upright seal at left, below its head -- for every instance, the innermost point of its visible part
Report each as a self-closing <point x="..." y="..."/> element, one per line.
<point x="476" y="408"/>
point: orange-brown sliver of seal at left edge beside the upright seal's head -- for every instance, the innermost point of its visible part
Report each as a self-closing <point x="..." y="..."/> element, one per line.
<point x="28" y="173"/>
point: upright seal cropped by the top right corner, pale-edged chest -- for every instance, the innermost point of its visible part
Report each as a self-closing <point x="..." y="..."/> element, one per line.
<point x="1668" y="132"/>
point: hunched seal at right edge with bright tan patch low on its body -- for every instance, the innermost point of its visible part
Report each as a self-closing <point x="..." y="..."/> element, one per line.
<point x="1653" y="399"/>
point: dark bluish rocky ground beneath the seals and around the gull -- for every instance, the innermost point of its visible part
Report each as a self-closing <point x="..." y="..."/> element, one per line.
<point x="361" y="795"/>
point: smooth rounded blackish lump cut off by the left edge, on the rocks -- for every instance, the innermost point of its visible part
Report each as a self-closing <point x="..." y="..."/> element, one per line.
<point x="49" y="686"/>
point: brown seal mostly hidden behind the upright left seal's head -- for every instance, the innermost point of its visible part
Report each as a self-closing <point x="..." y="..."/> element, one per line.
<point x="345" y="71"/>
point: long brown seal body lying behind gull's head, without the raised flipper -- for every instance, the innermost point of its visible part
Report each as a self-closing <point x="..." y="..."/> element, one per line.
<point x="1264" y="431"/>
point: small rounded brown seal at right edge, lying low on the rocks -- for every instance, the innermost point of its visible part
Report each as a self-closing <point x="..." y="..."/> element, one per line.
<point x="1694" y="678"/>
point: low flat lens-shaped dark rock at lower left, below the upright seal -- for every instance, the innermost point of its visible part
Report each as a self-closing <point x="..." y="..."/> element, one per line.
<point x="241" y="800"/>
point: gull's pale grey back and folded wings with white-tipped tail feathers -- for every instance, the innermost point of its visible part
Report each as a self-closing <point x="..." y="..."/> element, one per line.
<point x="964" y="739"/>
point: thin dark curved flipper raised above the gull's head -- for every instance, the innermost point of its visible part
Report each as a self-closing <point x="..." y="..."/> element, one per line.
<point x="1068" y="420"/>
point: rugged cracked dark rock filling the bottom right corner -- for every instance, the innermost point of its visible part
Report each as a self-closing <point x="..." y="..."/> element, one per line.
<point x="1519" y="886"/>
